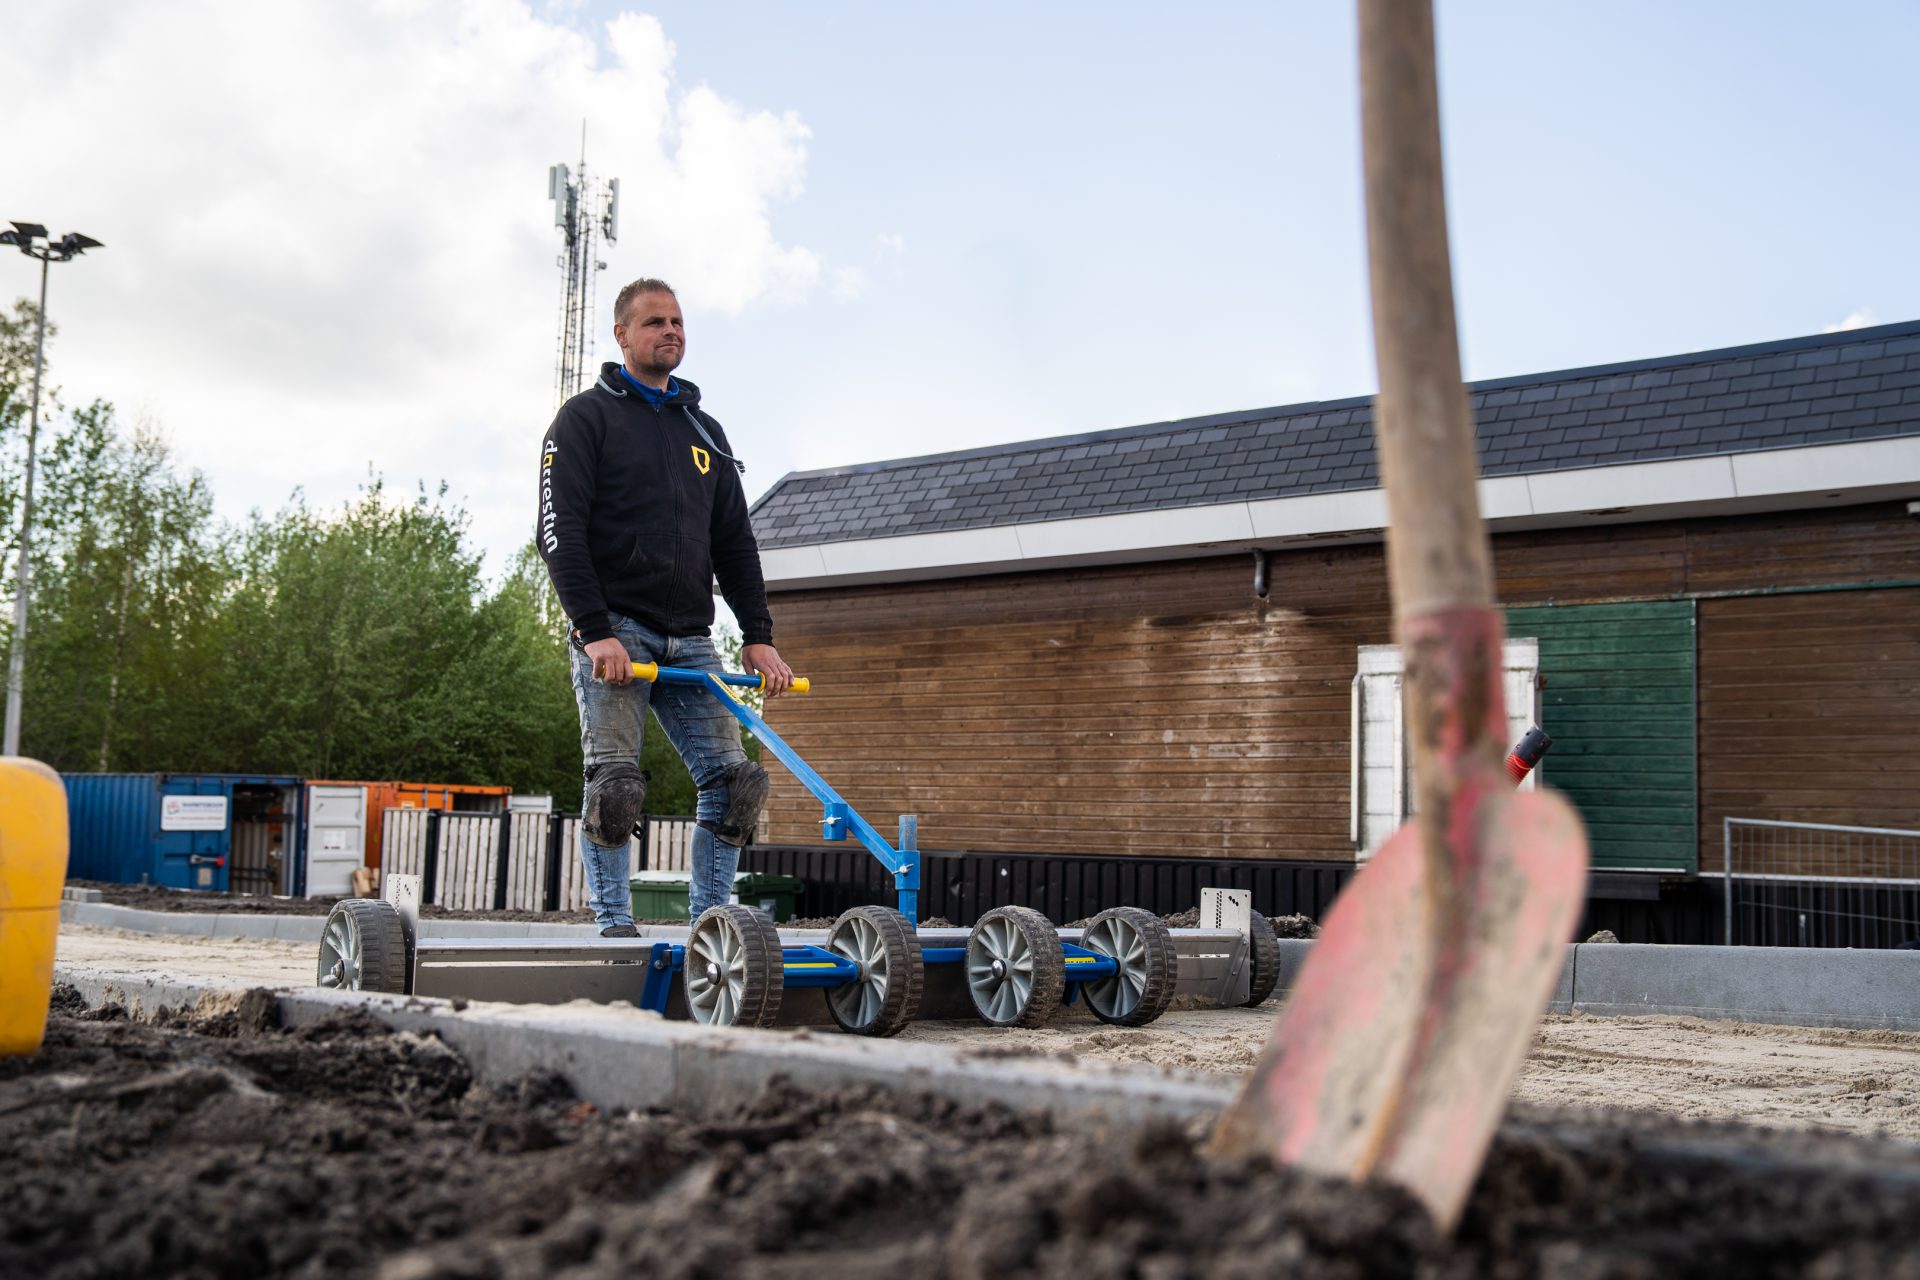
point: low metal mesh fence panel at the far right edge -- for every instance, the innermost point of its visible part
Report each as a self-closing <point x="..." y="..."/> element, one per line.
<point x="1804" y="884"/>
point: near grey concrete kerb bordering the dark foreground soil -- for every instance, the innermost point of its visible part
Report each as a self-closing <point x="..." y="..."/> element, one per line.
<point x="631" y="1060"/>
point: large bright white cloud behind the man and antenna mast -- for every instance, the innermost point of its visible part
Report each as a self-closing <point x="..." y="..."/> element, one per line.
<point x="327" y="225"/>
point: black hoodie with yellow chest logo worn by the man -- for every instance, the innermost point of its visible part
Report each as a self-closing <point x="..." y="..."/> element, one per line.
<point x="640" y="515"/>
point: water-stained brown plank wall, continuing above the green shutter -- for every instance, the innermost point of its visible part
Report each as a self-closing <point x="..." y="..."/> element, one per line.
<point x="1163" y="709"/>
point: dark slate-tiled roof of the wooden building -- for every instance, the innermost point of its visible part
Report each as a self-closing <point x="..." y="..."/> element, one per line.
<point x="1861" y="385"/>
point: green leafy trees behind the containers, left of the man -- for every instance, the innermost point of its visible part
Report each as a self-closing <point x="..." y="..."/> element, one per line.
<point x="348" y="644"/>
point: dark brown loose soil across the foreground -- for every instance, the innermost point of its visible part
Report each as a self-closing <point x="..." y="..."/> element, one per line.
<point x="231" y="1147"/>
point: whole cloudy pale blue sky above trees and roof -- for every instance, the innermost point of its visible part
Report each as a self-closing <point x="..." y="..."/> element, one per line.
<point x="903" y="227"/>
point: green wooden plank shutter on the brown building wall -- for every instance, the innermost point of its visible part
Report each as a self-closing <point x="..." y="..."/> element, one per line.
<point x="1620" y="703"/>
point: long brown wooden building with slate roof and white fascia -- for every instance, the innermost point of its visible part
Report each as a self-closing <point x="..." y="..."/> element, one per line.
<point x="1147" y="644"/>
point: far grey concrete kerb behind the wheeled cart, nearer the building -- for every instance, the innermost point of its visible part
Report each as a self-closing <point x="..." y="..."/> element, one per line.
<point x="1781" y="985"/>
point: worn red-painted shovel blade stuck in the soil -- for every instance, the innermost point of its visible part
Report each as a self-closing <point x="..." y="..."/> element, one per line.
<point x="1397" y="1051"/>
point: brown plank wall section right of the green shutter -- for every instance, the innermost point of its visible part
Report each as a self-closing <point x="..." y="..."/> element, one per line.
<point x="1812" y="713"/>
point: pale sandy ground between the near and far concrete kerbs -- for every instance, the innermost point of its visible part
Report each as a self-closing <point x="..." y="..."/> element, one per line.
<point x="1790" y="1078"/>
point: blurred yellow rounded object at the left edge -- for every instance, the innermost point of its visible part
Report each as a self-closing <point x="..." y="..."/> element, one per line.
<point x="34" y="866"/>
